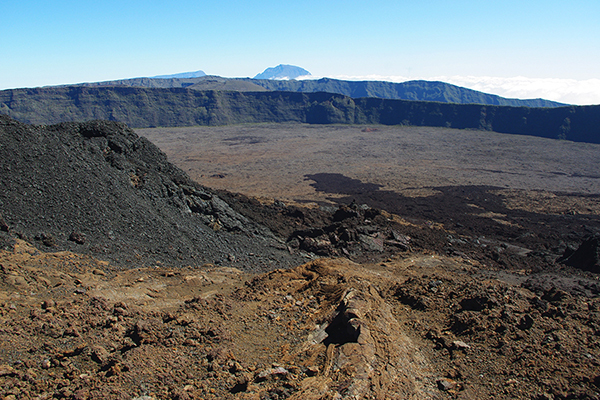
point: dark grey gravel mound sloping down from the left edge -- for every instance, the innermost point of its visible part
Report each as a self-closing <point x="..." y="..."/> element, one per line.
<point x="98" y="188"/>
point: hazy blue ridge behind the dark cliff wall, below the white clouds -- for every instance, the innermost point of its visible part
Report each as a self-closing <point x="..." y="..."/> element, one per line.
<point x="412" y="90"/>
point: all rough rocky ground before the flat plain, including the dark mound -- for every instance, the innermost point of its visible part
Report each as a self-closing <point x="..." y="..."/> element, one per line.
<point x="466" y="292"/>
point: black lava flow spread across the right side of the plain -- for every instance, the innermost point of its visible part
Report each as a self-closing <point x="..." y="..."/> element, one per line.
<point x="466" y="210"/>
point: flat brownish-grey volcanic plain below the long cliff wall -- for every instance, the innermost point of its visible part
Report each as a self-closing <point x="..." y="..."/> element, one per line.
<point x="307" y="163"/>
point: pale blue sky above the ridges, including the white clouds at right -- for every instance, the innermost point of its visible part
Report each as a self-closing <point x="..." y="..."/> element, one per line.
<point x="500" y="45"/>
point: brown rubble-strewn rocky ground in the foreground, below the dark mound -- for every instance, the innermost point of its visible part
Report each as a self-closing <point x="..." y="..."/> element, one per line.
<point x="417" y="325"/>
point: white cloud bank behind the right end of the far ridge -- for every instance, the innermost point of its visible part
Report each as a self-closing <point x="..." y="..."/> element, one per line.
<point x="569" y="91"/>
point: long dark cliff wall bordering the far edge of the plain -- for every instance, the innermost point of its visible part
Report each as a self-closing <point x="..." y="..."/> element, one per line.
<point x="142" y="107"/>
